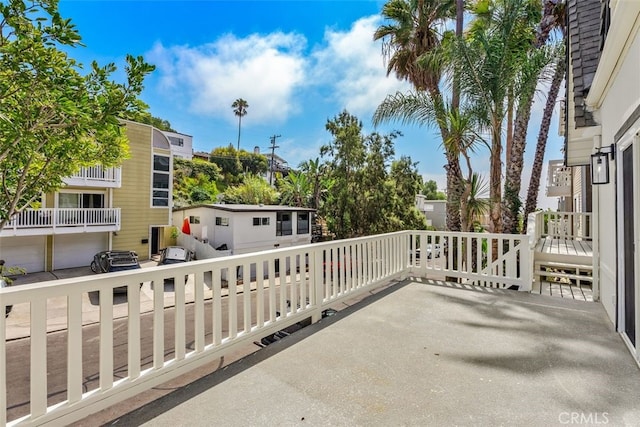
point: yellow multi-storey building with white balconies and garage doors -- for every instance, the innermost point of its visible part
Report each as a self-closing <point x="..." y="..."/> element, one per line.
<point x="98" y="209"/>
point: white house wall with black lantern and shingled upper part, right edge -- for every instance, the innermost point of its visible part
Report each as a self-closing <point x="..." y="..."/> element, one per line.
<point x="602" y="132"/>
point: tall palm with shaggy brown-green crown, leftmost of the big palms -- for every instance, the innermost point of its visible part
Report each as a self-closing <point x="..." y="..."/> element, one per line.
<point x="412" y="47"/>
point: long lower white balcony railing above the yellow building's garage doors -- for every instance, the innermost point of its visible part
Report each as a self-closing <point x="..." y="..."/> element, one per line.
<point x="34" y="222"/>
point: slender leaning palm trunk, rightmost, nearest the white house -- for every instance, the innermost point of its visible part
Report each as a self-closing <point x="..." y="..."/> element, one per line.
<point x="538" y="161"/>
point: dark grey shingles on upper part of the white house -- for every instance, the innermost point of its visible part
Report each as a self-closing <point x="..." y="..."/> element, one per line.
<point x="584" y="38"/>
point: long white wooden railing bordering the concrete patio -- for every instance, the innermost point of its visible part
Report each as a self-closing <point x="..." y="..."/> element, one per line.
<point x="290" y="285"/>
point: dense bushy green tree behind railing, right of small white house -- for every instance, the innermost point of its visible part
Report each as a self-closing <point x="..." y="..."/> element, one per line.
<point x="369" y="192"/>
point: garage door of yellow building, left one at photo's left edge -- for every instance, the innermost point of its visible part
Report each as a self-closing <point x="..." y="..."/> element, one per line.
<point x="25" y="251"/>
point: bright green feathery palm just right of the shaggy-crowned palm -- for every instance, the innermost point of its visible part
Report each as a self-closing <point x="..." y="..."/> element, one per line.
<point x="487" y="62"/>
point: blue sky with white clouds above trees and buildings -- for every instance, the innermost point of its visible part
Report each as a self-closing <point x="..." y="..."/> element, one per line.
<point x="297" y="64"/>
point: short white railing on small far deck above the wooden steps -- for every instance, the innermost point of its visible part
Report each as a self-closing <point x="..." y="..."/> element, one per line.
<point x="560" y="225"/>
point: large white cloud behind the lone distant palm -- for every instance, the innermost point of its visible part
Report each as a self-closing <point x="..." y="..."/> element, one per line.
<point x="264" y="70"/>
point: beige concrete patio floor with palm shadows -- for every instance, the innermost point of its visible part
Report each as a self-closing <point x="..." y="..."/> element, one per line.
<point x="424" y="353"/>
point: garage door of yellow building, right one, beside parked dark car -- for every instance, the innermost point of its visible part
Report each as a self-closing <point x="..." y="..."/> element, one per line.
<point x="77" y="250"/>
